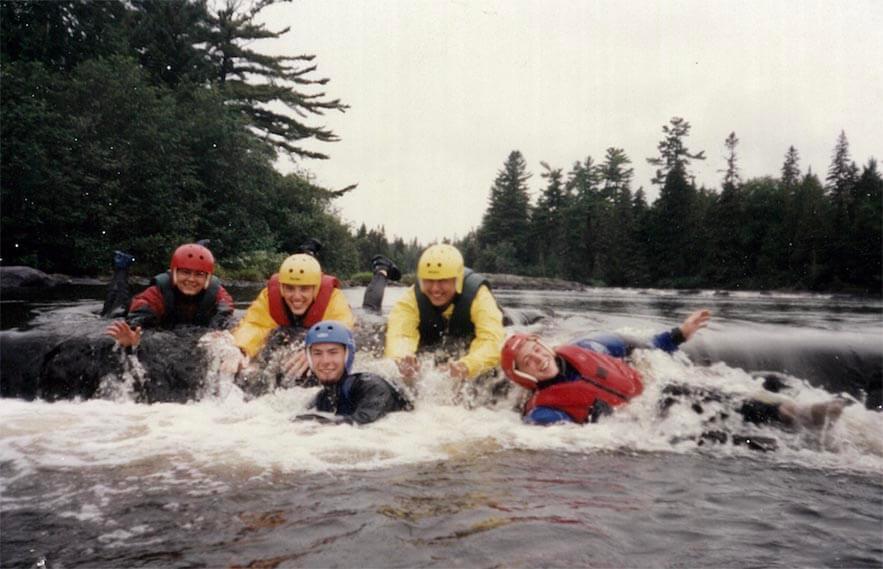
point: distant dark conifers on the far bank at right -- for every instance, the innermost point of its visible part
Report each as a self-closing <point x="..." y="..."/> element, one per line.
<point x="790" y="231"/>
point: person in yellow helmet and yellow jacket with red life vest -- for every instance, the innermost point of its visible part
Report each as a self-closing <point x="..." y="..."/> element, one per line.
<point x="299" y="295"/>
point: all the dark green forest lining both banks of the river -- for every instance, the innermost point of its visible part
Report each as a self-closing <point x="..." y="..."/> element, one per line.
<point x="142" y="124"/>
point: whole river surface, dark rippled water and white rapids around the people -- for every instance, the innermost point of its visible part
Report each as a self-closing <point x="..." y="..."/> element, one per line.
<point x="231" y="482"/>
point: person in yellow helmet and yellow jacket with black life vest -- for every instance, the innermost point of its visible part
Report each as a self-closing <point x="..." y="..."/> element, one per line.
<point x="448" y="301"/>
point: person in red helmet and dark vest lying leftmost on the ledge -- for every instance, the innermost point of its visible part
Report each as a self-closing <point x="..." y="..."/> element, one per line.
<point x="187" y="294"/>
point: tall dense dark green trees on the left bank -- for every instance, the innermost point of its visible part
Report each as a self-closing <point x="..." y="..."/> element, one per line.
<point x="143" y="124"/>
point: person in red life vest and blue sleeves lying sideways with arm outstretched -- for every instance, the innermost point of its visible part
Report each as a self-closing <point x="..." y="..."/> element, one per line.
<point x="585" y="380"/>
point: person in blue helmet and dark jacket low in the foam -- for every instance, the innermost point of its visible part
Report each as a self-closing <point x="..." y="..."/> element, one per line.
<point x="358" y="398"/>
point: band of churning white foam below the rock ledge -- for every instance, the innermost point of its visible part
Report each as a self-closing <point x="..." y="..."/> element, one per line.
<point x="227" y="437"/>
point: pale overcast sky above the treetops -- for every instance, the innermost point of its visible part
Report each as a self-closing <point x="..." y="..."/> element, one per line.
<point x="440" y="92"/>
